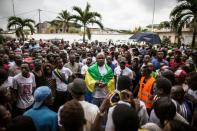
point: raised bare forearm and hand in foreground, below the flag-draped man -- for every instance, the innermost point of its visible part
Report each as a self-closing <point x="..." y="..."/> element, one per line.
<point x="105" y="104"/>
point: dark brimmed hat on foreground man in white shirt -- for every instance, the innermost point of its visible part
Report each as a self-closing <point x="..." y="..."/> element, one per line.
<point x="77" y="87"/>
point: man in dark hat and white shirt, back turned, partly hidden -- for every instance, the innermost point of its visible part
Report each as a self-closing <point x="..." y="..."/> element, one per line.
<point x="77" y="89"/>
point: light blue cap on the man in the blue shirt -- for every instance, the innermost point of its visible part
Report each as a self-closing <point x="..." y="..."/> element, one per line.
<point x="40" y="95"/>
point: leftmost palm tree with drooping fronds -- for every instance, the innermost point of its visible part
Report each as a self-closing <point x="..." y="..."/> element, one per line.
<point x="21" y="25"/>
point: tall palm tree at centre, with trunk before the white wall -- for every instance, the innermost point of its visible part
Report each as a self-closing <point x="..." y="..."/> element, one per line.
<point x="86" y="17"/>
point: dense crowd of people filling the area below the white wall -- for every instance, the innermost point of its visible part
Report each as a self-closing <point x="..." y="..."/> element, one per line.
<point x="62" y="86"/>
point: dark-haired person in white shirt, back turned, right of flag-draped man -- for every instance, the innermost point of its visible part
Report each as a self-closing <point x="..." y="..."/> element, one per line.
<point x="123" y="85"/>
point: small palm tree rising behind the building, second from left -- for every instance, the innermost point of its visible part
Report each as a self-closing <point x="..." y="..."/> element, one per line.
<point x="63" y="20"/>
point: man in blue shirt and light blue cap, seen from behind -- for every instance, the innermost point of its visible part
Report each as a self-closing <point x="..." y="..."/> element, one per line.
<point x="43" y="118"/>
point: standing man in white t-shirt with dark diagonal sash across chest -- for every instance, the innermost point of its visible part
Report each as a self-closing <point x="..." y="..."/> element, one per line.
<point x="62" y="76"/>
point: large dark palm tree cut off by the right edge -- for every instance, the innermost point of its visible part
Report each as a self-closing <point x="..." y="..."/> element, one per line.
<point x="184" y="12"/>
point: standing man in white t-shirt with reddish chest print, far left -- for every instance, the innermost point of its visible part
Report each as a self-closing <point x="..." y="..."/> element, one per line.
<point x="23" y="86"/>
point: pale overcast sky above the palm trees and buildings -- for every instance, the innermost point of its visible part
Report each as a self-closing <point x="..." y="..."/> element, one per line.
<point x="117" y="14"/>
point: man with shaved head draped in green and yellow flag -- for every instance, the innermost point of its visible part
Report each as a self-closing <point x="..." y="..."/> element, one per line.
<point x="99" y="79"/>
